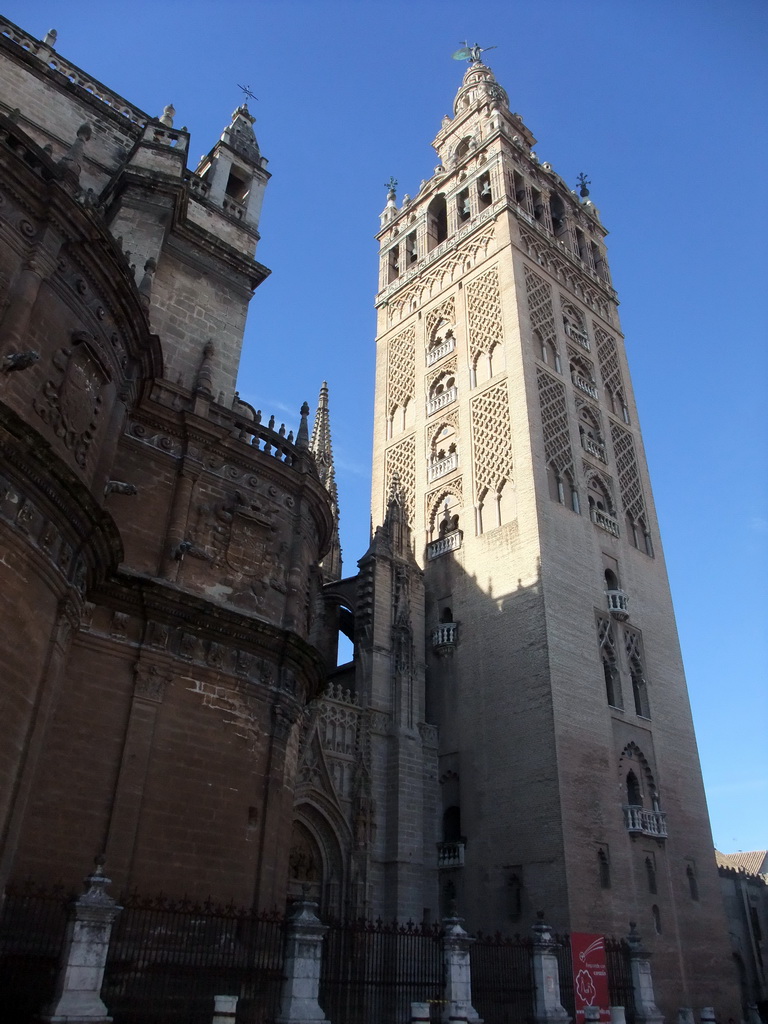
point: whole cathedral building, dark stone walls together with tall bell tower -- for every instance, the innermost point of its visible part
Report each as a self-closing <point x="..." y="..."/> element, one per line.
<point x="514" y="732"/>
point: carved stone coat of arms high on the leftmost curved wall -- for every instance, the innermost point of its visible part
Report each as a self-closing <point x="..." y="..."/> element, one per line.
<point x="71" y="402"/>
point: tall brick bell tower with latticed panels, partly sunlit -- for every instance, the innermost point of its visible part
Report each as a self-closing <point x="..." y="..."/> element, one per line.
<point x="504" y="410"/>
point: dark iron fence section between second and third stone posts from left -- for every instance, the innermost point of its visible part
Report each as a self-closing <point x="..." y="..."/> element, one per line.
<point x="372" y="972"/>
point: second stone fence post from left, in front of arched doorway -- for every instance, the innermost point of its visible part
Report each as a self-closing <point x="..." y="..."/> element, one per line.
<point x="305" y="934"/>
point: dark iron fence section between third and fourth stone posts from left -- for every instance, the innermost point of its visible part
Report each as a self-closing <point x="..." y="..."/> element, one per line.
<point x="502" y="979"/>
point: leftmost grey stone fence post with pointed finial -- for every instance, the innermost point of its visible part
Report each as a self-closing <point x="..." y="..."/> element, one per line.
<point x="84" y="958"/>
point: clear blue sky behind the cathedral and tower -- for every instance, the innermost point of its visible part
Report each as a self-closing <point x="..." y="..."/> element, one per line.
<point x="662" y="104"/>
